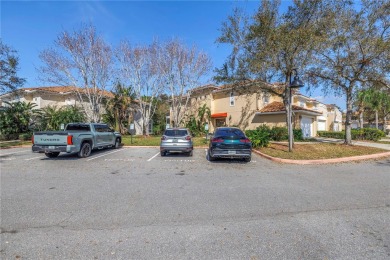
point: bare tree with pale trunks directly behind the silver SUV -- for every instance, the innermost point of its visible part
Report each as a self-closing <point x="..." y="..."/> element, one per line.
<point x="181" y="69"/>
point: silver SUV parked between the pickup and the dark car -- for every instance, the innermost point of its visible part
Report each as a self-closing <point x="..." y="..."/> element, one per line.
<point x="176" y="139"/>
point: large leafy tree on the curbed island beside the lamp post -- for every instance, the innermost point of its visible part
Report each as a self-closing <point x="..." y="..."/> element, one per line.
<point x="271" y="46"/>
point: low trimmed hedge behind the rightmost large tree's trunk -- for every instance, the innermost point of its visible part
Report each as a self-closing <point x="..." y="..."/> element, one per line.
<point x="357" y="134"/>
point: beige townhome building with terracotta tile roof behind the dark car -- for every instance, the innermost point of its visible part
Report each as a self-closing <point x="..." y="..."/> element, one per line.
<point x="249" y="108"/>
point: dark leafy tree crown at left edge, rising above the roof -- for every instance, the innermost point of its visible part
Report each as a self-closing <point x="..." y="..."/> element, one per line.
<point x="9" y="61"/>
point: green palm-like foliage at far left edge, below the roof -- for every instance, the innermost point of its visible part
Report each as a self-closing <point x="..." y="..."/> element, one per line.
<point x="17" y="117"/>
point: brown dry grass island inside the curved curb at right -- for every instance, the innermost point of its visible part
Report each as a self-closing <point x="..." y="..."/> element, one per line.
<point x="317" y="151"/>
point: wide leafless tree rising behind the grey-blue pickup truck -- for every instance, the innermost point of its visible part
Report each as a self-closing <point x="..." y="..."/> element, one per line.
<point x="81" y="59"/>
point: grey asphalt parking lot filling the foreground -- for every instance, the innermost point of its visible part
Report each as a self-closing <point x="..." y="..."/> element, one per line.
<point x="131" y="203"/>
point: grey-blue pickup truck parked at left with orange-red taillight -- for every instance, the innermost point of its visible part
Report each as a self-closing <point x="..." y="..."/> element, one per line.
<point x="80" y="138"/>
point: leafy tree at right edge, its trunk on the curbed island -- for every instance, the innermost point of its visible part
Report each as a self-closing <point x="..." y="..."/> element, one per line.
<point x="355" y="51"/>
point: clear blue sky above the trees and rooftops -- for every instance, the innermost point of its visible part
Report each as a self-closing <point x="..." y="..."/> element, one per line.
<point x="30" y="27"/>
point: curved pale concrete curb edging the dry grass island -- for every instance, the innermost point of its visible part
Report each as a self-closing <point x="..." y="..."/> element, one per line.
<point x="324" y="161"/>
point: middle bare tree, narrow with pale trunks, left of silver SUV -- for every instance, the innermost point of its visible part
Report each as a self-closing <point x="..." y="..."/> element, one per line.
<point x="140" y="71"/>
